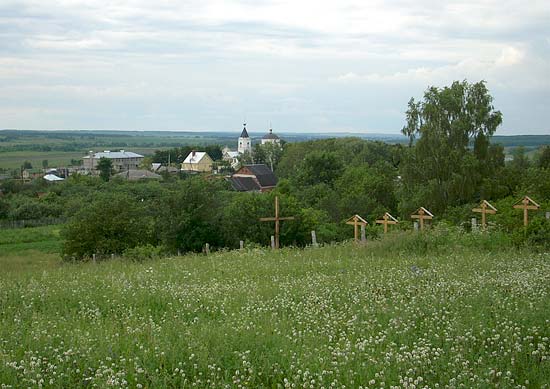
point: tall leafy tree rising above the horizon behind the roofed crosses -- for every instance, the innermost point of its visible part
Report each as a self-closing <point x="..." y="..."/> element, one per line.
<point x="450" y="153"/>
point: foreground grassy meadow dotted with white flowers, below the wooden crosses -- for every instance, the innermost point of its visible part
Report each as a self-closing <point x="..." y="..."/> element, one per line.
<point x="340" y="314"/>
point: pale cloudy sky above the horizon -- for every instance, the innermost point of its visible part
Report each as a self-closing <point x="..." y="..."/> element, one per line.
<point x="296" y="65"/>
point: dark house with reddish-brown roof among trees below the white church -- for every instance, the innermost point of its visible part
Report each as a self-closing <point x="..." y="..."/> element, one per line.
<point x="253" y="178"/>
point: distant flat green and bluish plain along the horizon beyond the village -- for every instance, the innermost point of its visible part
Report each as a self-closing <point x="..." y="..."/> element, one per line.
<point x="59" y="147"/>
